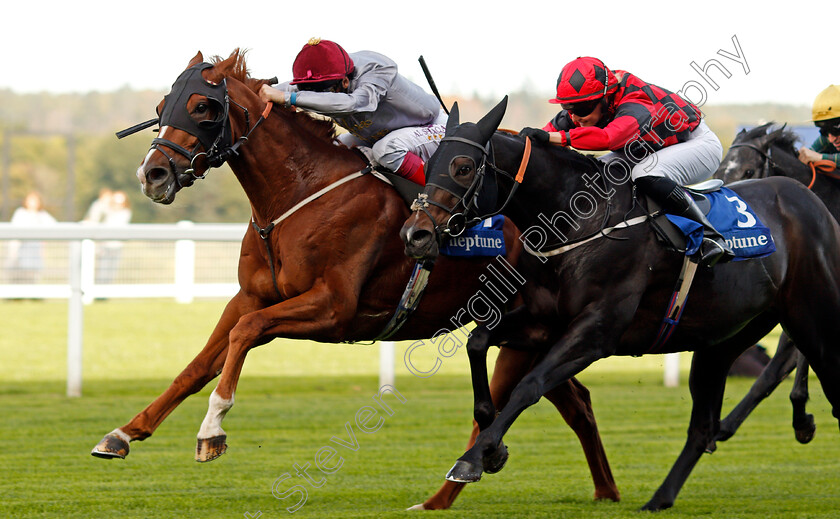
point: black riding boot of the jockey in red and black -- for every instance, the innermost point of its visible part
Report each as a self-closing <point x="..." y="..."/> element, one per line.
<point x="675" y="200"/>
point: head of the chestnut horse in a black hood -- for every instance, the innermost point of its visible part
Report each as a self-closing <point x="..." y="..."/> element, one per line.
<point x="195" y="127"/>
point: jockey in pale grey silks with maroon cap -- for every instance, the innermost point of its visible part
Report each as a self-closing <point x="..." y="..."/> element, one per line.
<point x="392" y="120"/>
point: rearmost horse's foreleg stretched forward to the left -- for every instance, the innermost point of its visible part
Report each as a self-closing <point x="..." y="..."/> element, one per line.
<point x="776" y="370"/>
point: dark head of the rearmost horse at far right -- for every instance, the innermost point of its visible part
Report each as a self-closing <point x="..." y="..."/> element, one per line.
<point x="749" y="155"/>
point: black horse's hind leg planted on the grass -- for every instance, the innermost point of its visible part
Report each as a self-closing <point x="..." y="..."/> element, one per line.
<point x="707" y="381"/>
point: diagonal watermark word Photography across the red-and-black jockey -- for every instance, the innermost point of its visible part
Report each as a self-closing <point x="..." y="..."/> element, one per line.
<point x="638" y="152"/>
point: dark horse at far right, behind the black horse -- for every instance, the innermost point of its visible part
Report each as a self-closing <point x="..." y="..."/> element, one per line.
<point x="760" y="153"/>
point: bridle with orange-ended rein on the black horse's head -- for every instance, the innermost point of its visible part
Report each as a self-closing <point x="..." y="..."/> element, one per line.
<point x="467" y="202"/>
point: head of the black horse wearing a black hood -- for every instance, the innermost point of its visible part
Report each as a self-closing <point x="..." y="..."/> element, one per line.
<point x="460" y="191"/>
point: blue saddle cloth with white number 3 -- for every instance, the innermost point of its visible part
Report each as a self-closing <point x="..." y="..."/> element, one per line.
<point x="732" y="217"/>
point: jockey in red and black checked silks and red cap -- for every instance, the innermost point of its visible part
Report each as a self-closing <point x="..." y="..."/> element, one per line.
<point x="657" y="138"/>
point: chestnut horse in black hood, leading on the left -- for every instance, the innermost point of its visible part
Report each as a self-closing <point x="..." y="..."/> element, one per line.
<point x="332" y="271"/>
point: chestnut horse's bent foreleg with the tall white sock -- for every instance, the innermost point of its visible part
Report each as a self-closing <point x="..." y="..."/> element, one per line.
<point x="307" y="315"/>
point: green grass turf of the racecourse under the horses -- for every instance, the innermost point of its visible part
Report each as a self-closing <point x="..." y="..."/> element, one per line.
<point x="284" y="419"/>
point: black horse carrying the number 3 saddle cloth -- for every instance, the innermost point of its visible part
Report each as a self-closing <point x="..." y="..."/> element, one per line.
<point x="598" y="282"/>
